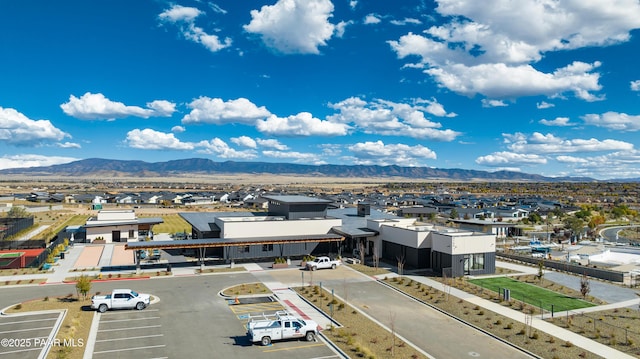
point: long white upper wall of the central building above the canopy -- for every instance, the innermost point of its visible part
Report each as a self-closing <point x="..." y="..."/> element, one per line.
<point x="250" y="227"/>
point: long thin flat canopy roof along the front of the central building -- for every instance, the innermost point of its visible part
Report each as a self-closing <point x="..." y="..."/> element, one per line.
<point x="232" y="242"/>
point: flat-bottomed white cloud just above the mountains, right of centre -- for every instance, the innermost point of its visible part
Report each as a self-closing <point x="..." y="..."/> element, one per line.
<point x="377" y="153"/>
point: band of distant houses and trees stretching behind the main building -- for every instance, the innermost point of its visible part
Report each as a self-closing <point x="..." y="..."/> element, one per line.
<point x="405" y="204"/>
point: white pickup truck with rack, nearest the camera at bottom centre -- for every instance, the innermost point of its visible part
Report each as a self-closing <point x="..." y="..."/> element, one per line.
<point x="281" y="325"/>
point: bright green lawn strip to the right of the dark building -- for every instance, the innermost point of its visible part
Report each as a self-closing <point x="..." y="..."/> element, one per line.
<point x="532" y="294"/>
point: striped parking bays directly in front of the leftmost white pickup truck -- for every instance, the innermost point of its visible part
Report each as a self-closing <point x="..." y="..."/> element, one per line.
<point x="130" y="334"/>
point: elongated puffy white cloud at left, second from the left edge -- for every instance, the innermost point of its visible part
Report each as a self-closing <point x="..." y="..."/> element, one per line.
<point x="97" y="107"/>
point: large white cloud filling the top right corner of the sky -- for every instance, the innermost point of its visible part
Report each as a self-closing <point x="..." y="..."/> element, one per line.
<point x="520" y="32"/>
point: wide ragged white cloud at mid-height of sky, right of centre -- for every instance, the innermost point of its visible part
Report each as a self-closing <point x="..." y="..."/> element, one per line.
<point x="394" y="119"/>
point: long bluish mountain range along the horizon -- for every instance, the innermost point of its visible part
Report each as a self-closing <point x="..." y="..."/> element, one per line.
<point x="116" y="168"/>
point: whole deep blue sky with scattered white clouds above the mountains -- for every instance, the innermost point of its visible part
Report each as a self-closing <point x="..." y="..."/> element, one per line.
<point x="544" y="87"/>
